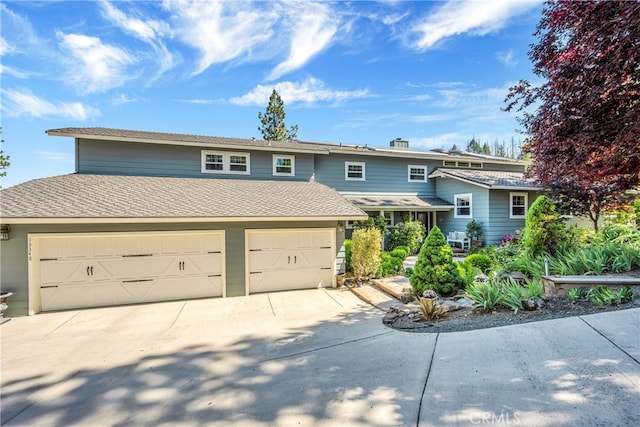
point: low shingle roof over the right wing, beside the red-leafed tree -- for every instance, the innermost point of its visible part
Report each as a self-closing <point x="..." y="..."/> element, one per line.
<point x="491" y="179"/>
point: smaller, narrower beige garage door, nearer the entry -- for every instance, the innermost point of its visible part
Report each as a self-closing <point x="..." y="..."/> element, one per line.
<point x="289" y="259"/>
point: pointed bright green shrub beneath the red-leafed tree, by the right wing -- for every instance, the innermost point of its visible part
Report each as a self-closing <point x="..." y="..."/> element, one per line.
<point x="544" y="230"/>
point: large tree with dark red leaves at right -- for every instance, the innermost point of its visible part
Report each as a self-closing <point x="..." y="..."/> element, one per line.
<point x="584" y="134"/>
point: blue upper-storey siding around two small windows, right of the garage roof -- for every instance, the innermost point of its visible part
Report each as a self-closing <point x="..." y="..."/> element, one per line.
<point x="382" y="175"/>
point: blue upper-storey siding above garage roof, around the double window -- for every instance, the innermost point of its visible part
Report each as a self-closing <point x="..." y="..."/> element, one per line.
<point x="124" y="158"/>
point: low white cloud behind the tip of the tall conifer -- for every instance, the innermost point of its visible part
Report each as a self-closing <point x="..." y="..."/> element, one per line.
<point x="309" y="91"/>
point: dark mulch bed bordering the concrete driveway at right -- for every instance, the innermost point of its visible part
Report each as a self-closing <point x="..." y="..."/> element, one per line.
<point x="471" y="319"/>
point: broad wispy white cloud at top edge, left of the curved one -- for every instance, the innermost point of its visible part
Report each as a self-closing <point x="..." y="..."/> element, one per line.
<point x="221" y="32"/>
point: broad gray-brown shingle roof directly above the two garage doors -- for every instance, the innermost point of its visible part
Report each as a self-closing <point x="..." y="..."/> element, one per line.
<point x="112" y="197"/>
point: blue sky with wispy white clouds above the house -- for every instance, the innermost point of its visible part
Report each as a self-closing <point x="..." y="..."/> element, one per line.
<point x="434" y="73"/>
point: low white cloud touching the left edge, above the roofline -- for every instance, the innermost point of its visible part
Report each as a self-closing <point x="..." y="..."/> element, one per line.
<point x="25" y="104"/>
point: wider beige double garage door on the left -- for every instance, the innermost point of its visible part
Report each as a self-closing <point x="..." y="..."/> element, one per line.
<point x="102" y="269"/>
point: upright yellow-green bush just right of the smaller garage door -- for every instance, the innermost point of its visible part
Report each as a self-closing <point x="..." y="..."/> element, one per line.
<point x="365" y="252"/>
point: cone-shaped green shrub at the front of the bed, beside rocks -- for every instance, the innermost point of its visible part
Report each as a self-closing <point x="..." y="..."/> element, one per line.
<point x="435" y="268"/>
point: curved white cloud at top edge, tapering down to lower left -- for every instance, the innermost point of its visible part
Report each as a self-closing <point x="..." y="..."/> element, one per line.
<point x="314" y="29"/>
